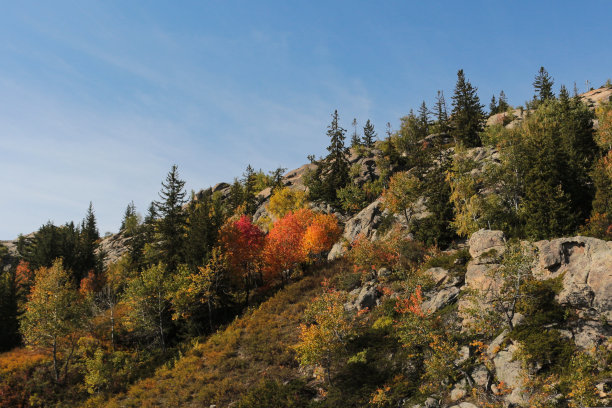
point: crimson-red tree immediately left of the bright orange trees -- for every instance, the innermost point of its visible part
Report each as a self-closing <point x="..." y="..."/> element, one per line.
<point x="242" y="242"/>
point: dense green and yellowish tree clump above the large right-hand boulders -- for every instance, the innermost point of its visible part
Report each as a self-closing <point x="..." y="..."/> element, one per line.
<point x="549" y="173"/>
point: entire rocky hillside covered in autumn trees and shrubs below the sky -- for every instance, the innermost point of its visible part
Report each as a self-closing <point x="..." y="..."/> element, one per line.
<point x="463" y="260"/>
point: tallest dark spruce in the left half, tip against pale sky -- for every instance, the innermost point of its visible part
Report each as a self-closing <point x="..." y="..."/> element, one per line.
<point x="171" y="226"/>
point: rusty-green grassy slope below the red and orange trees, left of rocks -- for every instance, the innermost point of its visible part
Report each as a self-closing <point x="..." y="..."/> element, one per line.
<point x="218" y="371"/>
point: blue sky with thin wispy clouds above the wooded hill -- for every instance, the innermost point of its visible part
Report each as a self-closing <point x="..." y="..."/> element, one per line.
<point x="99" y="99"/>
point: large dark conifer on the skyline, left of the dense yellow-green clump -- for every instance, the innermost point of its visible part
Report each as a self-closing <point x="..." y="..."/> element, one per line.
<point x="468" y="115"/>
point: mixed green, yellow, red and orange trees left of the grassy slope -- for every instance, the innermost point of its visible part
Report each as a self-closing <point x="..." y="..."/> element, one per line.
<point x="188" y="268"/>
